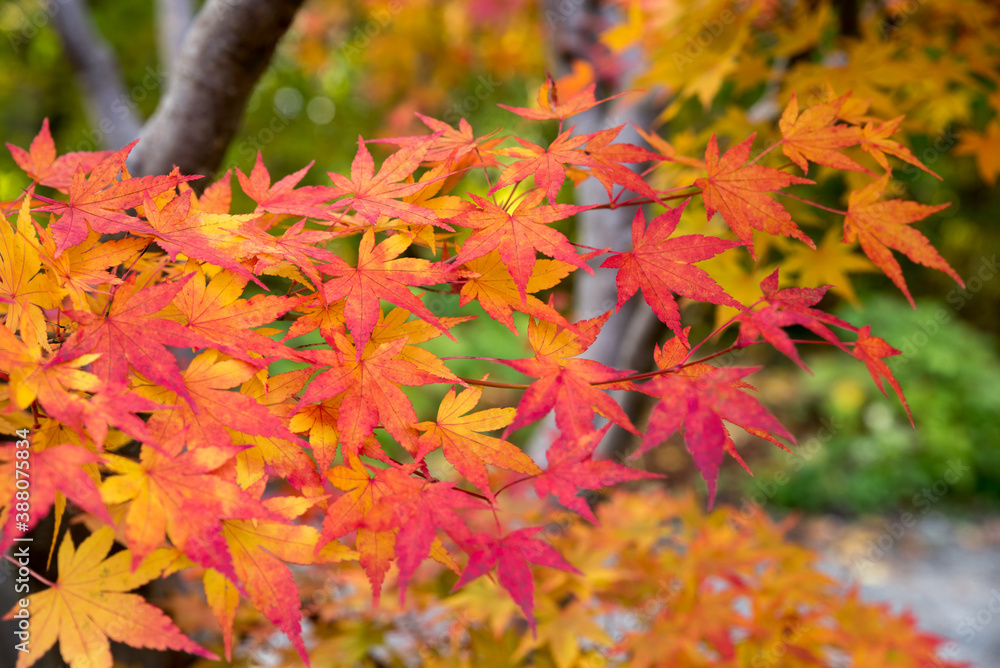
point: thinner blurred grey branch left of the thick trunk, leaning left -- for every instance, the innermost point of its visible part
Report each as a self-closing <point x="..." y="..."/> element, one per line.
<point x="99" y="74"/>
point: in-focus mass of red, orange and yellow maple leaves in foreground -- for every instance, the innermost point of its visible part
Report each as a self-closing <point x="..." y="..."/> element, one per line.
<point x="85" y="354"/>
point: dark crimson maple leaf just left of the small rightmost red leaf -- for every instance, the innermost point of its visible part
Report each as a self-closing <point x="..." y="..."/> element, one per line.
<point x="787" y="307"/>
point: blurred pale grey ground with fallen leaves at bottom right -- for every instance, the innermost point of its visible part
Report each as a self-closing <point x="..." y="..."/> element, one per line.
<point x="945" y="570"/>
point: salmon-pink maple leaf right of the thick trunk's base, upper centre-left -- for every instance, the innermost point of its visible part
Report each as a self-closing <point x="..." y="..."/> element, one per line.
<point x="373" y="195"/>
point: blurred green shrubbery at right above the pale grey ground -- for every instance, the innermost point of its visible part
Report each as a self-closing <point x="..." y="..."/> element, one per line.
<point x="862" y="456"/>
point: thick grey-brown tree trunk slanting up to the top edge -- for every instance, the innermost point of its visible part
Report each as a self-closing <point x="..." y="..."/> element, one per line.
<point x="224" y="54"/>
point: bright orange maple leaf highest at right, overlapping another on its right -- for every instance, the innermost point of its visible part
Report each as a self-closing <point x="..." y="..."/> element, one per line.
<point x="813" y="135"/>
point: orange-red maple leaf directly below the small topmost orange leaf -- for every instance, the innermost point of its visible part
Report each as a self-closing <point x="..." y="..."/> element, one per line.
<point x="544" y="164"/>
